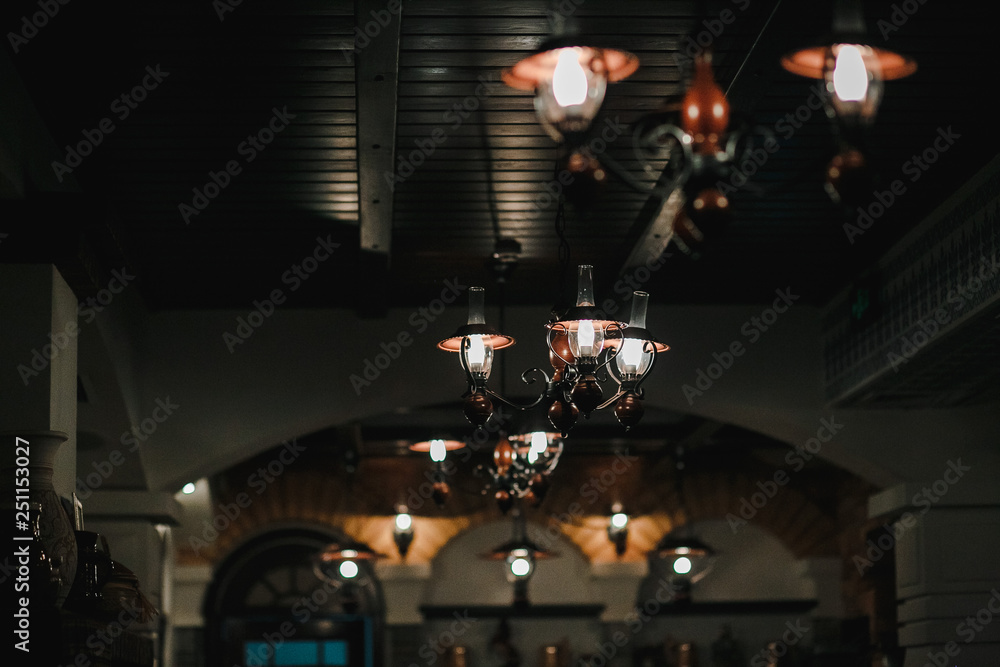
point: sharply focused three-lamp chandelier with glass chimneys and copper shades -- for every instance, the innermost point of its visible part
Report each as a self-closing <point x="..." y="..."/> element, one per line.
<point x="582" y="342"/>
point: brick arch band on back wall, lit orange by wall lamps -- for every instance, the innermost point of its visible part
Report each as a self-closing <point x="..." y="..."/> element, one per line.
<point x="362" y="506"/>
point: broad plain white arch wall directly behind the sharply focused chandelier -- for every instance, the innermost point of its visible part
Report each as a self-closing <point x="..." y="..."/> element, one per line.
<point x="292" y="376"/>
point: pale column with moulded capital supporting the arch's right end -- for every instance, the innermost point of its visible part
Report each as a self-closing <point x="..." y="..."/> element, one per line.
<point x="945" y="537"/>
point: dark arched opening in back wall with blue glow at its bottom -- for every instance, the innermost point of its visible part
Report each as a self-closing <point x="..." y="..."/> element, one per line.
<point x="266" y="605"/>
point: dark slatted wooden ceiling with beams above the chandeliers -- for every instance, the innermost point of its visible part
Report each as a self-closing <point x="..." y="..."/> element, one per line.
<point x="229" y="66"/>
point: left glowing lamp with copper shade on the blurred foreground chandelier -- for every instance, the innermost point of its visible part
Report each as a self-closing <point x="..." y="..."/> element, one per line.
<point x="569" y="77"/>
